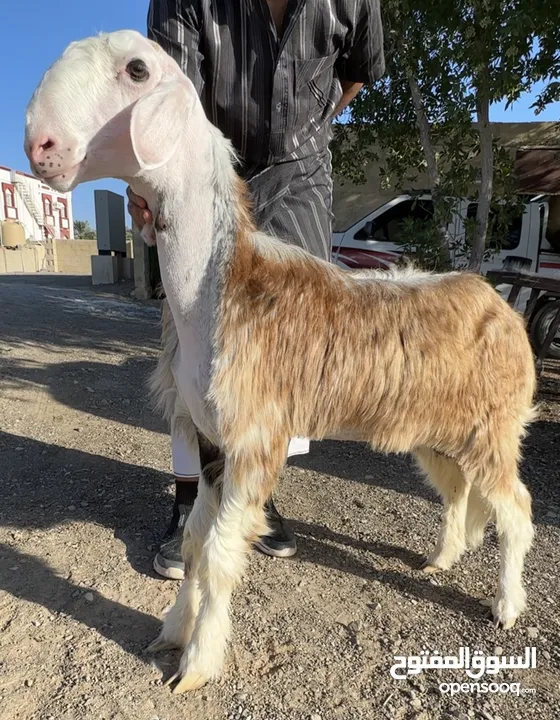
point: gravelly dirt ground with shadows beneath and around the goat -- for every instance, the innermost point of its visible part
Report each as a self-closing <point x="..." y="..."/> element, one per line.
<point x="86" y="493"/>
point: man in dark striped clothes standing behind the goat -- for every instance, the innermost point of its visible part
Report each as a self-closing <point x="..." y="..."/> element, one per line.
<point x="271" y="75"/>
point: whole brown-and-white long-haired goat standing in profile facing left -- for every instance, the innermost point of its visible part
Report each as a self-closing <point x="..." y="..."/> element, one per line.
<point x="267" y="342"/>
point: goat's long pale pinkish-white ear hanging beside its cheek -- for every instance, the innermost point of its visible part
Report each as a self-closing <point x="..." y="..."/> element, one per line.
<point x="157" y="122"/>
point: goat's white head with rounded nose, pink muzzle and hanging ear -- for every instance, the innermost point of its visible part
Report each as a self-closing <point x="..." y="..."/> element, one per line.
<point x="114" y="105"/>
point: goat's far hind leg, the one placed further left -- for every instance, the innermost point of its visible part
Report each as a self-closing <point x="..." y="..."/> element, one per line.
<point x="450" y="482"/>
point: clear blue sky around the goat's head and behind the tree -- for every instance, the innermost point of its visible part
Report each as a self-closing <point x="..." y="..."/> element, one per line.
<point x="33" y="34"/>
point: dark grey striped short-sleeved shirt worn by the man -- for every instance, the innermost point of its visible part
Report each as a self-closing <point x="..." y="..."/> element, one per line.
<point x="272" y="94"/>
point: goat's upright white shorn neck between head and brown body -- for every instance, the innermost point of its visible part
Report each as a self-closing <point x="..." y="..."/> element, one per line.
<point x="196" y="224"/>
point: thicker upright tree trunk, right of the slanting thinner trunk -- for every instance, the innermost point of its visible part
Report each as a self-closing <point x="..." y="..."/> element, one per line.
<point x="486" y="179"/>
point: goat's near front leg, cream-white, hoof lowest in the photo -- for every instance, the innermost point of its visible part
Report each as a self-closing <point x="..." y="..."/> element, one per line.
<point x="240" y="520"/>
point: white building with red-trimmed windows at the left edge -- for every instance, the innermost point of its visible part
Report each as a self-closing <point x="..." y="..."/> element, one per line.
<point x="43" y="213"/>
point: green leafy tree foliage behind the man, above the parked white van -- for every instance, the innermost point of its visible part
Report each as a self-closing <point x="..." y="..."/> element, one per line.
<point x="448" y="61"/>
